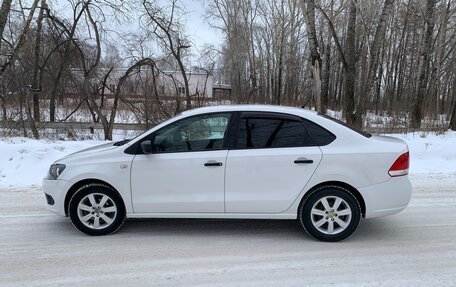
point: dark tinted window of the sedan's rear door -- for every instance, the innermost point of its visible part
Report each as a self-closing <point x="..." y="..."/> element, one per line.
<point x="272" y="133"/>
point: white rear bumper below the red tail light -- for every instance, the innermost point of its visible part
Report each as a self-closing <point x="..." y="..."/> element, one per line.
<point x="389" y="197"/>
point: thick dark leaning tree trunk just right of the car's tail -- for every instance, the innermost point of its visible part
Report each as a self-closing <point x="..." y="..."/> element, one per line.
<point x="423" y="64"/>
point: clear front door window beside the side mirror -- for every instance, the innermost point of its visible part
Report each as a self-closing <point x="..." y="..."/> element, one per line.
<point x="198" y="133"/>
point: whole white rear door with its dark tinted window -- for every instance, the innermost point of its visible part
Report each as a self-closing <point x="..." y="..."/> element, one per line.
<point x="273" y="159"/>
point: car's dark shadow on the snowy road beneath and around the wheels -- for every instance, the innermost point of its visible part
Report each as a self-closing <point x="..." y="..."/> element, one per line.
<point x="371" y="230"/>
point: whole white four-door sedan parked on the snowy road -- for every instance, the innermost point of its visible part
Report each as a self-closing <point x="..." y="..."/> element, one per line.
<point x="242" y="162"/>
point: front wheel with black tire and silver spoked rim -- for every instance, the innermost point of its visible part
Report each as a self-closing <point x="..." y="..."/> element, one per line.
<point x="97" y="191"/>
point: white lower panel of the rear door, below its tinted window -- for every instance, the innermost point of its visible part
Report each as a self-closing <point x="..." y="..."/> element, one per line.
<point x="267" y="180"/>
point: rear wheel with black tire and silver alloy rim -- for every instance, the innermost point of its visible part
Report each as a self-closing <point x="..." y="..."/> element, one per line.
<point x="309" y="220"/>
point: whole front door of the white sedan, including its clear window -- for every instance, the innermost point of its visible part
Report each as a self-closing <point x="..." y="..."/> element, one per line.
<point x="185" y="172"/>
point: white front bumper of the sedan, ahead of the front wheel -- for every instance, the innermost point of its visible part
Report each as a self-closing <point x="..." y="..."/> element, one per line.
<point x="57" y="190"/>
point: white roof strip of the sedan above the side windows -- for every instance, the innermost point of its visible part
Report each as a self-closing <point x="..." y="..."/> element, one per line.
<point x="259" y="108"/>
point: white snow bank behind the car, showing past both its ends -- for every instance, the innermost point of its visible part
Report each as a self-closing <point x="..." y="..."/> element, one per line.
<point x="24" y="162"/>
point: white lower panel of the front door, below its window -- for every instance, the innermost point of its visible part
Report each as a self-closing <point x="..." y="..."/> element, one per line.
<point x="173" y="182"/>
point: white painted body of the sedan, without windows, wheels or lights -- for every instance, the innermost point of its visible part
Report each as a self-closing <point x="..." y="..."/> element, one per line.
<point x="260" y="183"/>
